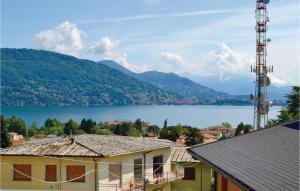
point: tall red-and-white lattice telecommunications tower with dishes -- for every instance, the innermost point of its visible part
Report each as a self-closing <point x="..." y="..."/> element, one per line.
<point x="261" y="69"/>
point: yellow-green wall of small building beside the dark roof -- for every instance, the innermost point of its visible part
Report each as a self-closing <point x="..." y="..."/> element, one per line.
<point x="202" y="179"/>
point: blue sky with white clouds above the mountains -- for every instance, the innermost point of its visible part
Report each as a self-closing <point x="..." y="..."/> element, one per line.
<point x="189" y="38"/>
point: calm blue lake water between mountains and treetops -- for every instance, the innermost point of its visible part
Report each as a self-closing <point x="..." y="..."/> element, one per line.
<point x="199" y="116"/>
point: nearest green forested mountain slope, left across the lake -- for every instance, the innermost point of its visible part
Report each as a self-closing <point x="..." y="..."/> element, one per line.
<point x="35" y="77"/>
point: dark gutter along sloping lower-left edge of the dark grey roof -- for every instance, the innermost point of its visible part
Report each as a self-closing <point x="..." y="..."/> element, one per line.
<point x="242" y="185"/>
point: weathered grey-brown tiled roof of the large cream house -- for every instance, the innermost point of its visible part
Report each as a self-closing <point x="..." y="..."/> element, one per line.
<point x="87" y="145"/>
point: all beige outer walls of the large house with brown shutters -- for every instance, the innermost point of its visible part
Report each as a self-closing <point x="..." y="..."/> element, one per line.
<point x="38" y="171"/>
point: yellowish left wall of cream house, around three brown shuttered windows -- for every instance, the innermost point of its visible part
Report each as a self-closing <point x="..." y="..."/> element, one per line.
<point x="38" y="172"/>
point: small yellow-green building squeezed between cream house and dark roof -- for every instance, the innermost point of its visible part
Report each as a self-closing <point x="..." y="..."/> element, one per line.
<point x="196" y="176"/>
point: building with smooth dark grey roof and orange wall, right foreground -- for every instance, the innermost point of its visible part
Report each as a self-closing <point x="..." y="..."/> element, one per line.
<point x="262" y="160"/>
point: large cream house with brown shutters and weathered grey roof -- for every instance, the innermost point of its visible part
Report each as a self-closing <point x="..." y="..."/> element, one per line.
<point x="89" y="162"/>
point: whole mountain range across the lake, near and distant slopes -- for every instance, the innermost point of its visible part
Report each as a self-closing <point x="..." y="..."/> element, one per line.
<point x="37" y="77"/>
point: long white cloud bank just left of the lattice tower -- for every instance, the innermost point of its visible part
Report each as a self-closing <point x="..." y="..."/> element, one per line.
<point x="224" y="62"/>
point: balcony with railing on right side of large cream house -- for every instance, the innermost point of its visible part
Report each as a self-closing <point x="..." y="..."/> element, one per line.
<point x="162" y="178"/>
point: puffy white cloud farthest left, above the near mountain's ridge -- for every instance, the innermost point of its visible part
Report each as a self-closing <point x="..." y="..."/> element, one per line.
<point x="65" y="38"/>
